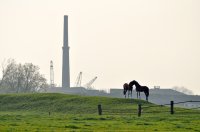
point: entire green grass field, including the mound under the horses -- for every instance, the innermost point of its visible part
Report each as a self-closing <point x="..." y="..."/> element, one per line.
<point x="30" y="112"/>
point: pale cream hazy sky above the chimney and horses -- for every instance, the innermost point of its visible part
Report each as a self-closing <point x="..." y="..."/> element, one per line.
<point x="156" y="42"/>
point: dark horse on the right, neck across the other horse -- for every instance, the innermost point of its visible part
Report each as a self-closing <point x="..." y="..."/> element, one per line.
<point x="140" y="88"/>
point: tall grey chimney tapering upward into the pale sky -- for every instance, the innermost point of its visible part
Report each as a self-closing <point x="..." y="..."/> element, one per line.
<point x="65" y="66"/>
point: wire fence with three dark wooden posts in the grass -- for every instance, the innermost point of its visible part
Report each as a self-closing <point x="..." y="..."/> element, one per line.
<point x="142" y="109"/>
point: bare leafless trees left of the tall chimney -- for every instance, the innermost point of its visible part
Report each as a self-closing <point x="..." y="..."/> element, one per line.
<point x="21" y="78"/>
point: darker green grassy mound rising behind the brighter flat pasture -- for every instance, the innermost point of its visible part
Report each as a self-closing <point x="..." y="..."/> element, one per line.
<point x="62" y="103"/>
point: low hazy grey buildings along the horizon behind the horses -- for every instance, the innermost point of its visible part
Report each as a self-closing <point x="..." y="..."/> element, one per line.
<point x="157" y="96"/>
